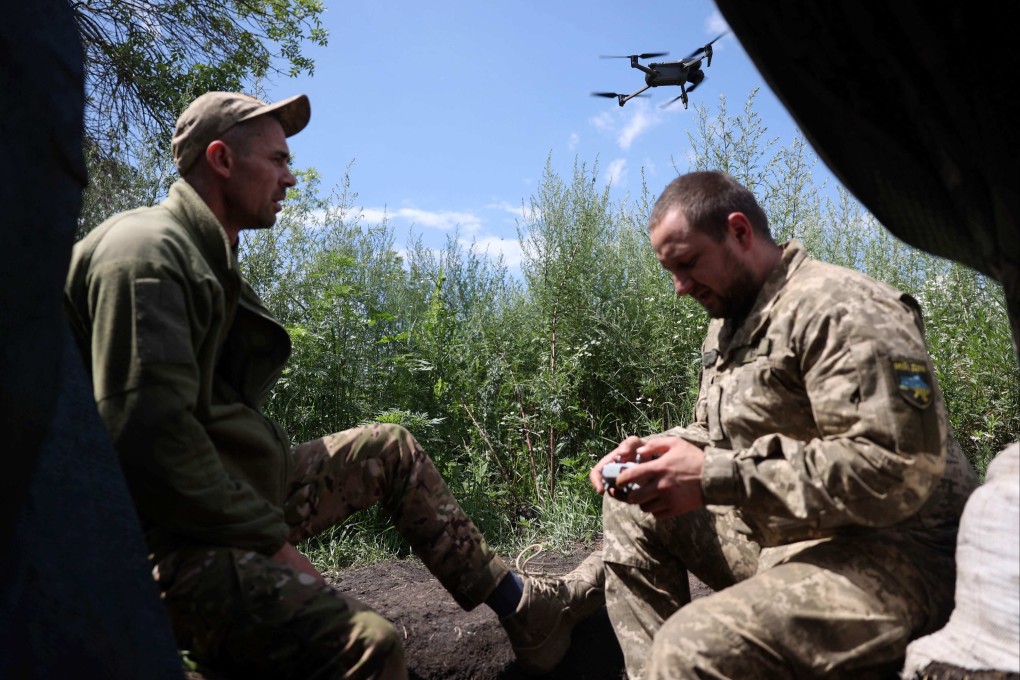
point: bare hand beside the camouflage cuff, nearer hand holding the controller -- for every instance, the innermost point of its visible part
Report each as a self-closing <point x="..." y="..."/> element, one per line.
<point x="669" y="482"/>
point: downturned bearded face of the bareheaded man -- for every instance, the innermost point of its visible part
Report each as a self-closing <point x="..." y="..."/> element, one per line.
<point x="713" y="274"/>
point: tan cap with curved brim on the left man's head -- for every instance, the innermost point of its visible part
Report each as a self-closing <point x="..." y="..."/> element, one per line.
<point x="216" y="113"/>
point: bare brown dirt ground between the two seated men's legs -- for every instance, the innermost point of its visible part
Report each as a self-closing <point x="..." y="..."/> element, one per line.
<point x="443" y="642"/>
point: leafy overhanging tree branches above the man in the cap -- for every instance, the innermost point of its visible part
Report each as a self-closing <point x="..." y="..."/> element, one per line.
<point x="146" y="60"/>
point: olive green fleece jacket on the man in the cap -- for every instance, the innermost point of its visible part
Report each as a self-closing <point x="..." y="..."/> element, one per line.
<point x="182" y="355"/>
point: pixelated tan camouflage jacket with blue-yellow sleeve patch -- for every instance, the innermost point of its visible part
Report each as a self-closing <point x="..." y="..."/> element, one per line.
<point x="821" y="414"/>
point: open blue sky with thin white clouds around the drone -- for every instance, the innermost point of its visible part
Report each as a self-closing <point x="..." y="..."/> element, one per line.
<point x="449" y="110"/>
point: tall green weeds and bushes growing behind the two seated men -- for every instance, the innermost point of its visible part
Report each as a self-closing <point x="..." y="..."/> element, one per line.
<point x="517" y="387"/>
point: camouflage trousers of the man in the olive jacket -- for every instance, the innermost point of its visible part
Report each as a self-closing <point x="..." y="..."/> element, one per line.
<point x="245" y="614"/>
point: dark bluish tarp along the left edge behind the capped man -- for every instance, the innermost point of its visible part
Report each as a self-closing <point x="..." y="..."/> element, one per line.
<point x="77" y="596"/>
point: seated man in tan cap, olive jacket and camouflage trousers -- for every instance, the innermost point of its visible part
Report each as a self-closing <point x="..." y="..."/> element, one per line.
<point x="183" y="354"/>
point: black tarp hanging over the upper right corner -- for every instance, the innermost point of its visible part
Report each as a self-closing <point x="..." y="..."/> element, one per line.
<point x="913" y="107"/>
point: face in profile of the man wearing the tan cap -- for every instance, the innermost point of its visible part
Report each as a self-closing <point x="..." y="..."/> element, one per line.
<point x="262" y="176"/>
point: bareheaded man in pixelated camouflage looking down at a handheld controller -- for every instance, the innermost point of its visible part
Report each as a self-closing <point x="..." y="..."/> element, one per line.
<point x="819" y="490"/>
